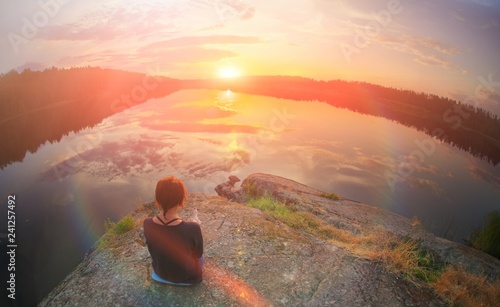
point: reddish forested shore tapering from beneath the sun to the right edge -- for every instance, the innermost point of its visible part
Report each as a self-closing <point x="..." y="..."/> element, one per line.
<point x="469" y="128"/>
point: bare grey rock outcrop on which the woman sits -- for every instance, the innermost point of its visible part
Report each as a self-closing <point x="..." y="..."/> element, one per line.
<point x="254" y="259"/>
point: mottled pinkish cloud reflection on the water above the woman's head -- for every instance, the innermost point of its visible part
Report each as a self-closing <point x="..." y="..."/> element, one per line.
<point x="138" y="157"/>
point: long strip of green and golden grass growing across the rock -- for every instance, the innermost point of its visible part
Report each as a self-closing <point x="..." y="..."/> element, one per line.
<point x="399" y="255"/>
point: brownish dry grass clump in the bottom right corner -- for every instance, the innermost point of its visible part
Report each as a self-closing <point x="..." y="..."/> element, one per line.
<point x="460" y="288"/>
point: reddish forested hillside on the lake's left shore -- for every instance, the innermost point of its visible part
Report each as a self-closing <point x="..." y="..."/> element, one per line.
<point x="42" y="106"/>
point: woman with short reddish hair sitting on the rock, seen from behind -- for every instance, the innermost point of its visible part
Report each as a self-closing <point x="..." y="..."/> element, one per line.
<point x="176" y="246"/>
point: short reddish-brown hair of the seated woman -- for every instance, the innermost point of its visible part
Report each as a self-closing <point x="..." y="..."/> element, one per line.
<point x="170" y="192"/>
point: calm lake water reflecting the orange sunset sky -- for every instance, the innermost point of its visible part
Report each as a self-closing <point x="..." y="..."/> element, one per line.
<point x="67" y="189"/>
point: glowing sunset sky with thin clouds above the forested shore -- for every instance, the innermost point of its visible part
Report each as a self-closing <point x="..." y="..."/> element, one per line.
<point x="449" y="48"/>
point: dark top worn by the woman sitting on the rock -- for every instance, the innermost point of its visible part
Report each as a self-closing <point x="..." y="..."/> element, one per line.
<point x="175" y="250"/>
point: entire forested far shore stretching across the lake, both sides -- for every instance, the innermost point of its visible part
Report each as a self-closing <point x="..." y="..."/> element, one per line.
<point x="41" y="106"/>
